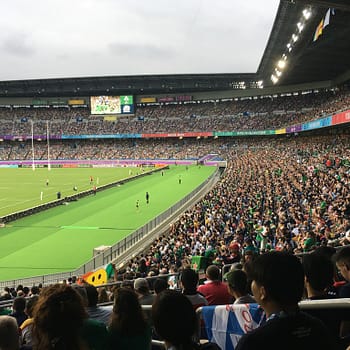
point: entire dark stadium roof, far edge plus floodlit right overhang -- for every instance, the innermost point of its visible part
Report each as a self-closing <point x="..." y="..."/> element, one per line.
<point x="307" y="61"/>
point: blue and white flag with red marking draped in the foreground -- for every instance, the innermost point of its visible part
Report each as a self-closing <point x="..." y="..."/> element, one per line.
<point x="225" y="324"/>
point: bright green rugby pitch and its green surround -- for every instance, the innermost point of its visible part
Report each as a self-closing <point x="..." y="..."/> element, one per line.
<point x="62" y="238"/>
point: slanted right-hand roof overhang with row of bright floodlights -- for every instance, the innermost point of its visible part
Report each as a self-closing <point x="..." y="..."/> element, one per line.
<point x="309" y="60"/>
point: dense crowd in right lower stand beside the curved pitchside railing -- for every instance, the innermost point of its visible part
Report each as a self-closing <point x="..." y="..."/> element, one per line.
<point x="285" y="195"/>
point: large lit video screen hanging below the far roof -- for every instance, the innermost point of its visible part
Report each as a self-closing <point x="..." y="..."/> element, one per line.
<point x="112" y="104"/>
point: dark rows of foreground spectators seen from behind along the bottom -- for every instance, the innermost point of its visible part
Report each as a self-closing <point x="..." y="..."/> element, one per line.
<point x="69" y="316"/>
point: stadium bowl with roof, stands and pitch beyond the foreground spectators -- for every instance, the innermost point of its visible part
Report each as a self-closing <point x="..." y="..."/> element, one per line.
<point x="111" y="178"/>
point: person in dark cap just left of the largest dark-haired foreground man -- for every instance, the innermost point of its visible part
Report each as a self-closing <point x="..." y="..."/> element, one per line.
<point x="237" y="286"/>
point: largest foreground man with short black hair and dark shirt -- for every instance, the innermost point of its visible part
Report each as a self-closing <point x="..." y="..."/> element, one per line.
<point x="278" y="284"/>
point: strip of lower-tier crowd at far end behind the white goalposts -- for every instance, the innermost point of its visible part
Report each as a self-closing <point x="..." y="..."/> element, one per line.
<point x="112" y="149"/>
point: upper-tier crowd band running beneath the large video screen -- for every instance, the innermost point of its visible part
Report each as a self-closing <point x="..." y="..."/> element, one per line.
<point x="247" y="114"/>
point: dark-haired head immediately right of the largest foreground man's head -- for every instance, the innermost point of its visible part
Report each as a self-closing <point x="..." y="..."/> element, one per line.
<point x="319" y="273"/>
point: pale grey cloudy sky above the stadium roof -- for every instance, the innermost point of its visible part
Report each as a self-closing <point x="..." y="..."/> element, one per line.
<point x="76" y="38"/>
